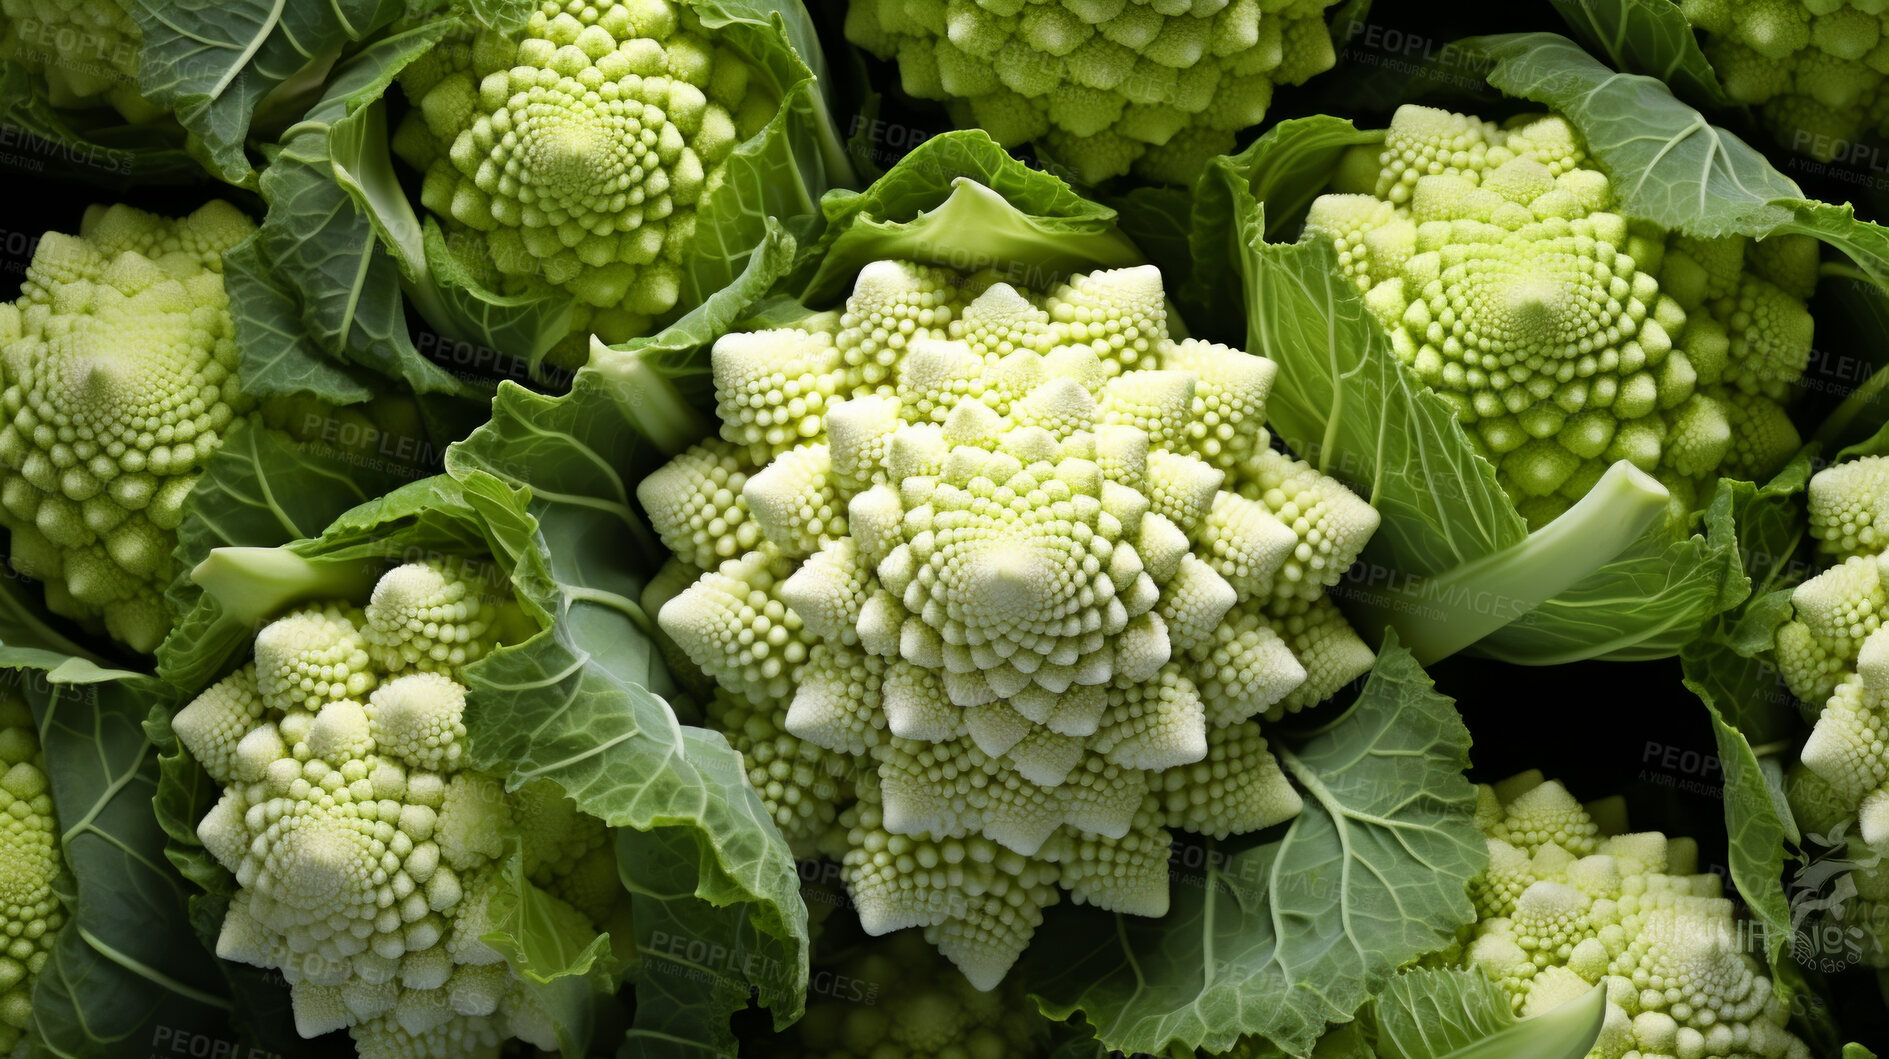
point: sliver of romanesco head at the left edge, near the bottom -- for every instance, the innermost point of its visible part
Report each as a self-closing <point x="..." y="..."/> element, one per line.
<point x="31" y="913"/>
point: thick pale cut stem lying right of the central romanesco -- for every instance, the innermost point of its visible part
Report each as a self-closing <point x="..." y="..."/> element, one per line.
<point x="1444" y="614"/>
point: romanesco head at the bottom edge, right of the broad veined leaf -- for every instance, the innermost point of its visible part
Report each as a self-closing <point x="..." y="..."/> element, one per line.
<point x="1567" y="907"/>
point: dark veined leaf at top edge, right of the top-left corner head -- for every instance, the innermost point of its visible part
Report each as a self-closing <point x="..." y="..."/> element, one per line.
<point x="214" y="61"/>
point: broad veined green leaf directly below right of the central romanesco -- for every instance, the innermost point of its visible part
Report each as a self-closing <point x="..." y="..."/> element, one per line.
<point x="1287" y="935"/>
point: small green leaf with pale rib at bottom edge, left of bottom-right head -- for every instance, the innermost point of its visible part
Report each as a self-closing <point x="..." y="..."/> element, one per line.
<point x="1461" y="1015"/>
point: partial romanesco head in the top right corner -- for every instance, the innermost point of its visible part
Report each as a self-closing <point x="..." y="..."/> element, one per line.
<point x="1814" y="69"/>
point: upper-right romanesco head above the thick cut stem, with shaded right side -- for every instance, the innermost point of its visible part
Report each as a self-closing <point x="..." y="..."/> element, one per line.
<point x="1561" y="335"/>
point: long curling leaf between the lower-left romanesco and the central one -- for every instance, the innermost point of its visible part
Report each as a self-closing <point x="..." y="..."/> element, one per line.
<point x="583" y="705"/>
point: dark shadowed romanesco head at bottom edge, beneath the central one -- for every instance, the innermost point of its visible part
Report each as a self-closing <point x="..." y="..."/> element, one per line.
<point x="923" y="1009"/>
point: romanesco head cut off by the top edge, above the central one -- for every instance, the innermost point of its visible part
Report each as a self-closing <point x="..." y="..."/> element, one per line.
<point x="1106" y="86"/>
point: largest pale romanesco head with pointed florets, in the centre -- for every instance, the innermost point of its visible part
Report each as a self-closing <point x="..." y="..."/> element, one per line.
<point x="1015" y="569"/>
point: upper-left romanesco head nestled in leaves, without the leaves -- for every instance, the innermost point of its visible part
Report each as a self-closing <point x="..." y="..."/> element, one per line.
<point x="575" y="154"/>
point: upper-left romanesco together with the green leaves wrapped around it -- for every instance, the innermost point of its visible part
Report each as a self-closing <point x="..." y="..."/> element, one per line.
<point x="345" y="250"/>
